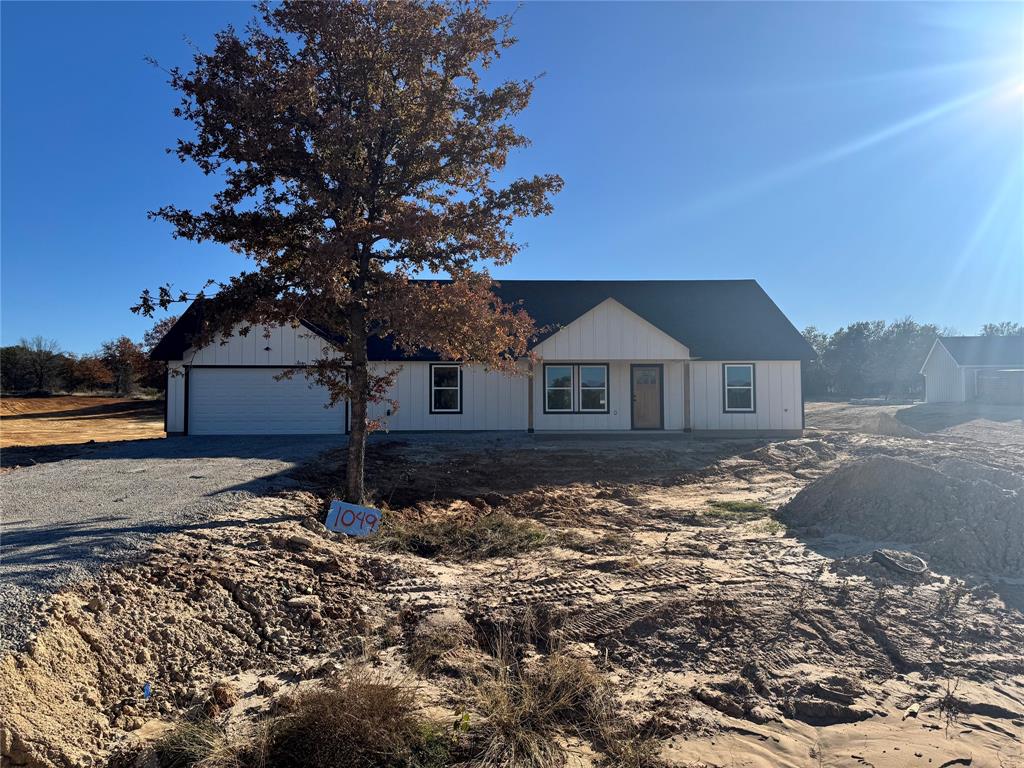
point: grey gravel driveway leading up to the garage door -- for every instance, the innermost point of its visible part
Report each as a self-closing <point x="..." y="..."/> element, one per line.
<point x="63" y="520"/>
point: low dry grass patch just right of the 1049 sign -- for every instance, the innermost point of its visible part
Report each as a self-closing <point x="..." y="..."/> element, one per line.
<point x="462" y="538"/>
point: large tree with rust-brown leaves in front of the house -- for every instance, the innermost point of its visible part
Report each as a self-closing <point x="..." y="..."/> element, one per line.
<point x="360" y="148"/>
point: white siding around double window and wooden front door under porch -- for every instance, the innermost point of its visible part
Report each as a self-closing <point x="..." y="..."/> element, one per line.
<point x="620" y="401"/>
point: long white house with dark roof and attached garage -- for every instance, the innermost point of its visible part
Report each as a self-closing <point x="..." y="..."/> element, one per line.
<point x="675" y="356"/>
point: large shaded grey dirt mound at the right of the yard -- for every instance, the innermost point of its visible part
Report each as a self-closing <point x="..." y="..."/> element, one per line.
<point x="970" y="525"/>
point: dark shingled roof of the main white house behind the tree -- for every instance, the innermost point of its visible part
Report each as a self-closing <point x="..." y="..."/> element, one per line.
<point x="719" y="320"/>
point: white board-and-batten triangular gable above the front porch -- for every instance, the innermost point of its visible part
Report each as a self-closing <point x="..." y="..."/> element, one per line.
<point x="611" y="332"/>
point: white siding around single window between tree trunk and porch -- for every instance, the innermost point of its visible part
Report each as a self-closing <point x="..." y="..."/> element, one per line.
<point x="491" y="401"/>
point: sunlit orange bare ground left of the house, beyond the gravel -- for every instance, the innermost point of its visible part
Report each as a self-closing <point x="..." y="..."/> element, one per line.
<point x="30" y="426"/>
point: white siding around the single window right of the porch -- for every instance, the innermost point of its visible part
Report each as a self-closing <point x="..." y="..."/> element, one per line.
<point x="778" y="397"/>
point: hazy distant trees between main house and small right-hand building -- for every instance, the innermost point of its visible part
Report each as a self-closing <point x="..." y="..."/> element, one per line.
<point x="877" y="359"/>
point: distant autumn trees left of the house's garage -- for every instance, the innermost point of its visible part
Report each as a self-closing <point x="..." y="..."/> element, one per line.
<point x="121" y="366"/>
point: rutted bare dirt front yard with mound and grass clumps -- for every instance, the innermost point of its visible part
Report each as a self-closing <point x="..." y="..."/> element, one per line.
<point x="847" y="599"/>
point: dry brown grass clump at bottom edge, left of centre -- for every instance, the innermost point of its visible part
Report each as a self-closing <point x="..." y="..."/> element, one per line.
<point x="358" y="722"/>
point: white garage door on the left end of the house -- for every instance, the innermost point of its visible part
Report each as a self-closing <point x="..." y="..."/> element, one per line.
<point x="250" y="401"/>
